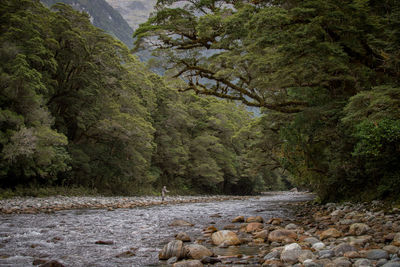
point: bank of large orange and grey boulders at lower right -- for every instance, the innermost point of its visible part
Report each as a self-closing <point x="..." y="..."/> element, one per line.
<point x="361" y="235"/>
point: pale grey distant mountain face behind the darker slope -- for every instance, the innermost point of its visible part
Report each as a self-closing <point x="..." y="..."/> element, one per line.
<point x="134" y="12"/>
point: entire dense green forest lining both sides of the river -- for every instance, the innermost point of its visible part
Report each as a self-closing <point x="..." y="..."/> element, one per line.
<point x="77" y="109"/>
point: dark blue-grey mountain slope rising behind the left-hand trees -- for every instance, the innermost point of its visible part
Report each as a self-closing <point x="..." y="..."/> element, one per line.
<point x="103" y="16"/>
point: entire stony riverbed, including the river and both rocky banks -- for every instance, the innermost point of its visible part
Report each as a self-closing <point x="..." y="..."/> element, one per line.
<point x="276" y="229"/>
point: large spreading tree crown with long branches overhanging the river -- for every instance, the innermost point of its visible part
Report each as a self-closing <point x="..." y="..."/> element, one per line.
<point x="272" y="54"/>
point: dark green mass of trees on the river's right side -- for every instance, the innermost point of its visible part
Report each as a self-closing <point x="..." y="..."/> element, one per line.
<point x="326" y="74"/>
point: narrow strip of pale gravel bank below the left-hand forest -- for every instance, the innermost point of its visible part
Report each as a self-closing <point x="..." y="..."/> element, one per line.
<point x="31" y="205"/>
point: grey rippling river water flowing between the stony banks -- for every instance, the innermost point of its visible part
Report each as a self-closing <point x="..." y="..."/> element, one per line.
<point x="70" y="236"/>
